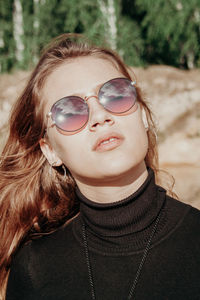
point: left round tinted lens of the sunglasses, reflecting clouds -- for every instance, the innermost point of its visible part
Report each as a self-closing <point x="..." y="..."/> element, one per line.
<point x="70" y="113"/>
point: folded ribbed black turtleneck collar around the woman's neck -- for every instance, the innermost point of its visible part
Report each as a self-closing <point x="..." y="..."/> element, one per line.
<point x="130" y="215"/>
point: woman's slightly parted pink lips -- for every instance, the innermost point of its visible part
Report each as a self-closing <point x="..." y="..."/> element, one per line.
<point x="108" y="142"/>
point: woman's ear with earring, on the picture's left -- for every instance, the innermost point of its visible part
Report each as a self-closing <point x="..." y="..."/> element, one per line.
<point x="49" y="153"/>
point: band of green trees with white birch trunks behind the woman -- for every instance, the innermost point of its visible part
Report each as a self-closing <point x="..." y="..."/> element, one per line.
<point x="143" y="31"/>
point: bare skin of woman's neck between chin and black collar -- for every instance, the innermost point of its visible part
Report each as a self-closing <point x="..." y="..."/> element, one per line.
<point x="120" y="187"/>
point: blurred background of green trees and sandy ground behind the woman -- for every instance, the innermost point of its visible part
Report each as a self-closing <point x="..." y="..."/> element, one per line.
<point x="160" y="39"/>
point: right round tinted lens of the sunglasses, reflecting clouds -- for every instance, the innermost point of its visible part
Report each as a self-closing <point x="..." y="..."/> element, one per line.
<point x="118" y="95"/>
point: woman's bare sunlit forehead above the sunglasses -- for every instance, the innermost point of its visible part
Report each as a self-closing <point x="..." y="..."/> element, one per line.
<point x="78" y="76"/>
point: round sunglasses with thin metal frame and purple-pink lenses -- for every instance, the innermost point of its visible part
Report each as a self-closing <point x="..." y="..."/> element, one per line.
<point x="71" y="113"/>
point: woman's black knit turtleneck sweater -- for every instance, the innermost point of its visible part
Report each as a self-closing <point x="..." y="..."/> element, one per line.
<point x="54" y="267"/>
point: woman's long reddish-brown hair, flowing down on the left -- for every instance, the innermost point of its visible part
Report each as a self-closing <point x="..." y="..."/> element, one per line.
<point x="34" y="198"/>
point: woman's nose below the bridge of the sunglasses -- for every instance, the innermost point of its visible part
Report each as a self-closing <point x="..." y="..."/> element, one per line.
<point x="99" y="116"/>
